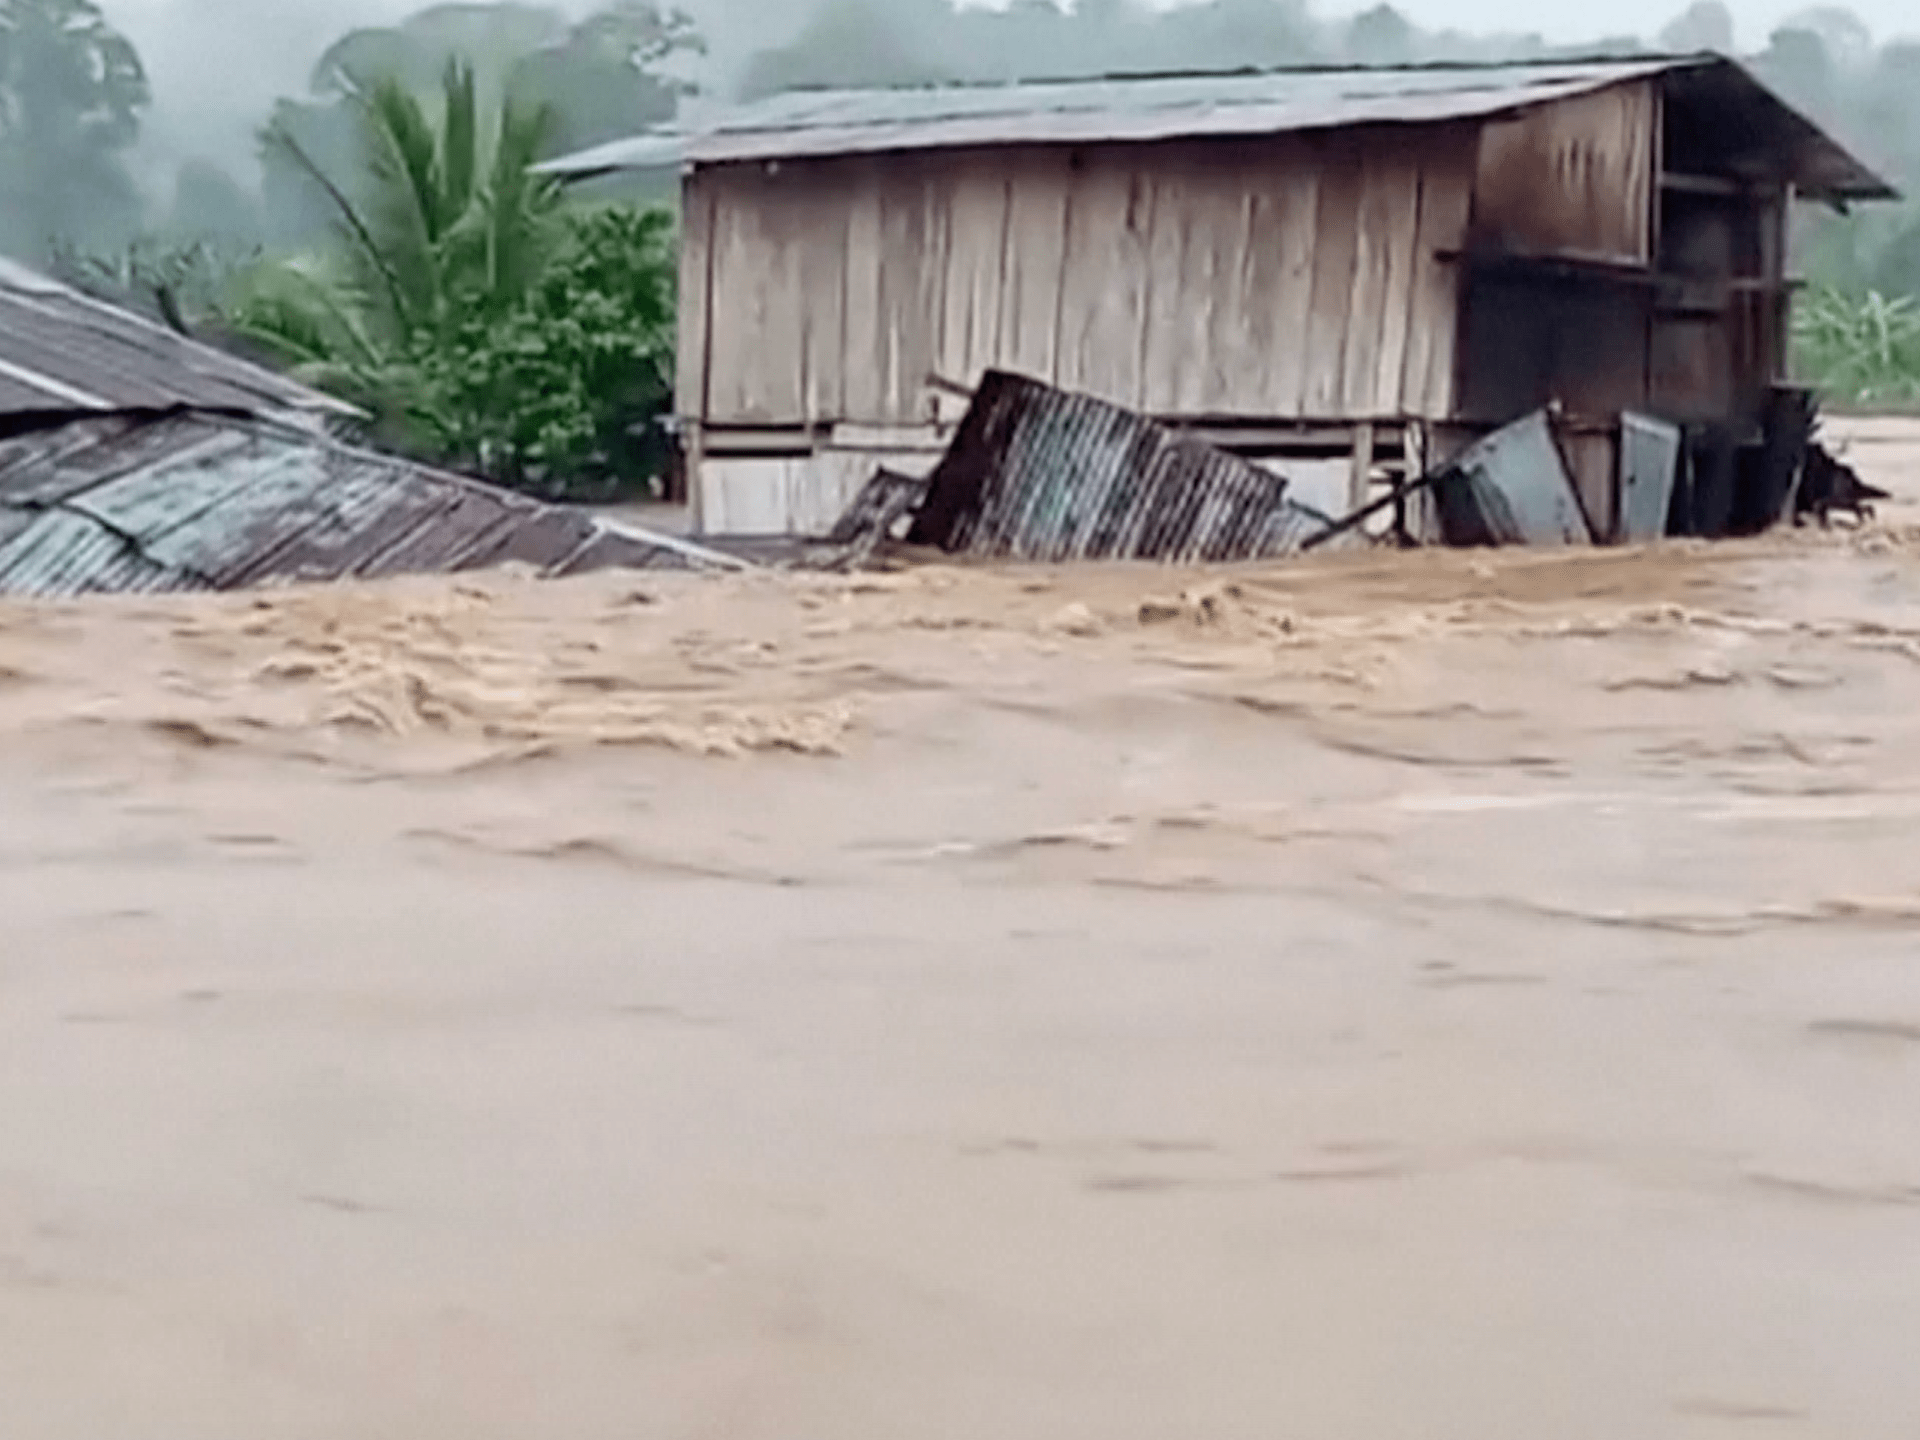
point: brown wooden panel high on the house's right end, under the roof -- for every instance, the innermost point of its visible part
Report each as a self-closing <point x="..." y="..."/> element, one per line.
<point x="1572" y="180"/>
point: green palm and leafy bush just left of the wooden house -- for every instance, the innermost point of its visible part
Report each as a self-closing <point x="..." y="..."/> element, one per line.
<point x="475" y="318"/>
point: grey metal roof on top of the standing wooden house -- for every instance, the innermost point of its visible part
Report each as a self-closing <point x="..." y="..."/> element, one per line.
<point x="815" y="124"/>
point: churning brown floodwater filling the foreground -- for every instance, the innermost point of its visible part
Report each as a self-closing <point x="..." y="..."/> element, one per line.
<point x="1393" y="996"/>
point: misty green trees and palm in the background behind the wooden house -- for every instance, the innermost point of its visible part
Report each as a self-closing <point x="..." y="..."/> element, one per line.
<point x="395" y="245"/>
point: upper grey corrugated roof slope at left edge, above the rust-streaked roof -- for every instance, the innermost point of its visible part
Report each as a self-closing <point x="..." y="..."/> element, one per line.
<point x="62" y="350"/>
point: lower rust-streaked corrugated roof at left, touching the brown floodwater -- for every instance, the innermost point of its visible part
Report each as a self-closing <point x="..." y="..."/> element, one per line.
<point x="212" y="502"/>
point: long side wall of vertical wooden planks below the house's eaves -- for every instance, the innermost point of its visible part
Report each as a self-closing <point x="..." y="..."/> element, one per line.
<point x="1257" y="279"/>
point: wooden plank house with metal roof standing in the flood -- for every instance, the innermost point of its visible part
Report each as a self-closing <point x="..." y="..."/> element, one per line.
<point x="1345" y="268"/>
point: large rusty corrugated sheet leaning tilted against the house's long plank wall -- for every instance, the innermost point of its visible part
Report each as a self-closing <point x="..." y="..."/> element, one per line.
<point x="1042" y="475"/>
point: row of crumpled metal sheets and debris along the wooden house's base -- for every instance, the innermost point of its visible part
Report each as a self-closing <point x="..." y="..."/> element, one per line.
<point x="1036" y="473"/>
